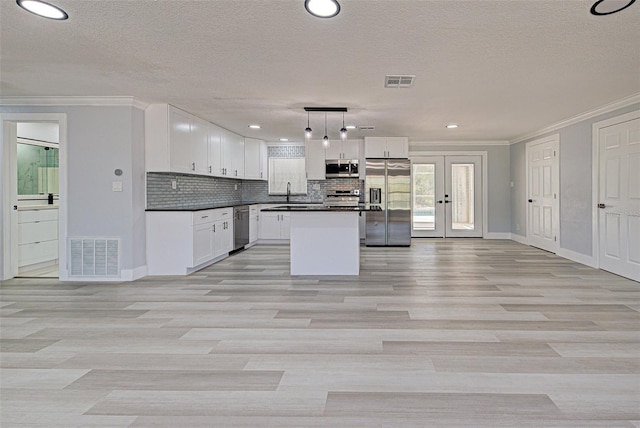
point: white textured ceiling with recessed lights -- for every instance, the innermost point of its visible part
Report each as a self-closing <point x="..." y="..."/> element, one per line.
<point x="501" y="69"/>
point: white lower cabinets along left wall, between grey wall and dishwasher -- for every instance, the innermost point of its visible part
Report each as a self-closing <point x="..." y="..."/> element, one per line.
<point x="181" y="242"/>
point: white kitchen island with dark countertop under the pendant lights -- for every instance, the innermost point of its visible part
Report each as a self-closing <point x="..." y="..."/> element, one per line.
<point x="324" y="241"/>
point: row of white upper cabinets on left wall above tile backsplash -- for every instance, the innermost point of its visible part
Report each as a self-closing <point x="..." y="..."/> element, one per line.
<point x="177" y="141"/>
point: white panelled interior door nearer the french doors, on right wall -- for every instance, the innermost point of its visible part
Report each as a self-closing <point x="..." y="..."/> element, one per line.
<point x="542" y="193"/>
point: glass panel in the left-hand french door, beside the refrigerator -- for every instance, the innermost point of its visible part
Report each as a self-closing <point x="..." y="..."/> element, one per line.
<point x="424" y="196"/>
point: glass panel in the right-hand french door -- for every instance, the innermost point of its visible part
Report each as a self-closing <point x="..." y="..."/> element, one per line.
<point x="462" y="197"/>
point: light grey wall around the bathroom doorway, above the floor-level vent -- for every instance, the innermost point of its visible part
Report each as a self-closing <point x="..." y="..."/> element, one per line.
<point x="101" y="139"/>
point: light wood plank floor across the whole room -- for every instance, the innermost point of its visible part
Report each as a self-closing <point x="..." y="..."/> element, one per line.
<point x="445" y="333"/>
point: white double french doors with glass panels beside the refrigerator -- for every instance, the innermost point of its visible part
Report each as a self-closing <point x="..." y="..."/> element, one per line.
<point x="447" y="196"/>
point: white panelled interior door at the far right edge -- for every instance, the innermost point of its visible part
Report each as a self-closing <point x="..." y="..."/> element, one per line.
<point x="619" y="199"/>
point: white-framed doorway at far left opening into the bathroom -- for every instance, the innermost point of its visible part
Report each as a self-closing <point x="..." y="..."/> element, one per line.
<point x="33" y="183"/>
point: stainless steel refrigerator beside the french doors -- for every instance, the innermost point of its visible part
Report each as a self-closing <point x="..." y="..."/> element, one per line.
<point x="388" y="186"/>
